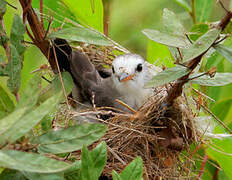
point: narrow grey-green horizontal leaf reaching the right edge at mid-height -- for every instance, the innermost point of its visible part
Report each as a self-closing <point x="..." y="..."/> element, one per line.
<point x="220" y="79"/>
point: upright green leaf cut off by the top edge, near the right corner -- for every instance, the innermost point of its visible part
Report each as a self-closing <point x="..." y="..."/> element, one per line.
<point x="203" y="9"/>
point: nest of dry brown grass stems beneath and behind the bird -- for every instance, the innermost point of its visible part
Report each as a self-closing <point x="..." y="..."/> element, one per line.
<point x="158" y="132"/>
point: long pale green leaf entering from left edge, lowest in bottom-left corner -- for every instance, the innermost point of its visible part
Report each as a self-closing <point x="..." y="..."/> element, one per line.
<point x="30" y="162"/>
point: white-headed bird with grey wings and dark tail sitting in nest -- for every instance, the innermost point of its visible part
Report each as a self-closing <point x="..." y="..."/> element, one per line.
<point x="125" y="82"/>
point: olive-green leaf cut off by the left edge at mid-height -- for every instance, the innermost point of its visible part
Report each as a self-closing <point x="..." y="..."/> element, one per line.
<point x="6" y="103"/>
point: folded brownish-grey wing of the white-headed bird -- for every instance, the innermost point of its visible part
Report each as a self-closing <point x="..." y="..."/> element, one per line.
<point x="89" y="84"/>
